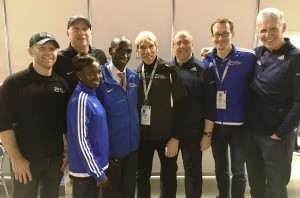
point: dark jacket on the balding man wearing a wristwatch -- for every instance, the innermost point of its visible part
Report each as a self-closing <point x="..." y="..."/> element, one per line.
<point x="200" y="103"/>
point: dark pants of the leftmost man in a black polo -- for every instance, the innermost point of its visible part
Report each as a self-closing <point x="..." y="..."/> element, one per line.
<point x="46" y="177"/>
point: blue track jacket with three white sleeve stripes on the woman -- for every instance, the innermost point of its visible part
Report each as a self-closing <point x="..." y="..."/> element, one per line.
<point x="87" y="134"/>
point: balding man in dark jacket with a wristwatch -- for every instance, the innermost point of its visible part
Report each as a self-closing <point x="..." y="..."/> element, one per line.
<point x="199" y="111"/>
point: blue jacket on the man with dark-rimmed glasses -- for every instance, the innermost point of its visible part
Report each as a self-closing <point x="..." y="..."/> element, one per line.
<point x="236" y="83"/>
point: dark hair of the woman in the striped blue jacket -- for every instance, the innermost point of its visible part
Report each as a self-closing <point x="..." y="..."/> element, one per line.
<point x="83" y="59"/>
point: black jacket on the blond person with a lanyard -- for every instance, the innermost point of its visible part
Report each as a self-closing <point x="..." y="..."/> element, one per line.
<point x="165" y="118"/>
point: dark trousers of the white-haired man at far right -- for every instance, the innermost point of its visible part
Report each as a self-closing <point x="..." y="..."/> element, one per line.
<point x="269" y="164"/>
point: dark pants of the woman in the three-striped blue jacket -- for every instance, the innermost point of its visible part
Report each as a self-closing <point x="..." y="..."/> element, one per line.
<point x="85" y="187"/>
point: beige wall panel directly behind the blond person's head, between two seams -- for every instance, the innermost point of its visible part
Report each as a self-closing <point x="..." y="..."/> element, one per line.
<point x="114" y="17"/>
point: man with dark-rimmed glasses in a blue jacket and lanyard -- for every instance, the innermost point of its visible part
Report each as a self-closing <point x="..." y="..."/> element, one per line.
<point x="233" y="70"/>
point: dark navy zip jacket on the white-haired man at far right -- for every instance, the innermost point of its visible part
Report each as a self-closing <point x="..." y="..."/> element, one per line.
<point x="275" y="102"/>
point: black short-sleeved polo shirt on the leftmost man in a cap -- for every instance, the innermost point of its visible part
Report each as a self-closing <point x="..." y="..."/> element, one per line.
<point x="34" y="106"/>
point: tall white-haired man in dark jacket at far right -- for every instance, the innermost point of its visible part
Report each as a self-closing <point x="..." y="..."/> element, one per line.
<point x="274" y="110"/>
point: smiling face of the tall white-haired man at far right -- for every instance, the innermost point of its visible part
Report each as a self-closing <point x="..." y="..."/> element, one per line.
<point x="270" y="32"/>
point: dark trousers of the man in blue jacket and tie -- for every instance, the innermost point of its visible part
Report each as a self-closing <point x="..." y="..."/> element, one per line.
<point x="122" y="178"/>
